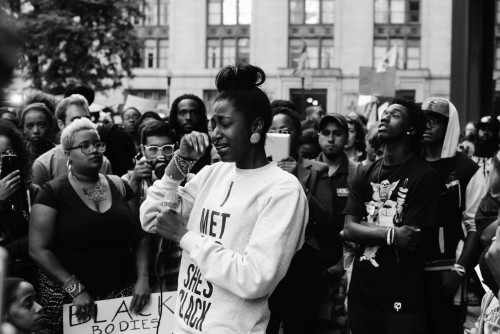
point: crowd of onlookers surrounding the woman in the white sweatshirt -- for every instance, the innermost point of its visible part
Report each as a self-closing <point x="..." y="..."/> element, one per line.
<point x="69" y="213"/>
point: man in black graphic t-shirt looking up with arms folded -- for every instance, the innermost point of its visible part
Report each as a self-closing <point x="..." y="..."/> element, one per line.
<point x="391" y="207"/>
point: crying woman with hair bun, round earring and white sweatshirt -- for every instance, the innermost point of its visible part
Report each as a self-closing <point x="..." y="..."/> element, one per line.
<point x="245" y="217"/>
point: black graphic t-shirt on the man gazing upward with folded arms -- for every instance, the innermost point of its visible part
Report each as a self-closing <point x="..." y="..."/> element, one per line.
<point x="404" y="194"/>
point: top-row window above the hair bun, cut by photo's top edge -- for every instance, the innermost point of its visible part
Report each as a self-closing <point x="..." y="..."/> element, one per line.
<point x="229" y="12"/>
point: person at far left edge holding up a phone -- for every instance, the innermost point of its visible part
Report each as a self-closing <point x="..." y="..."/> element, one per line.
<point x="16" y="194"/>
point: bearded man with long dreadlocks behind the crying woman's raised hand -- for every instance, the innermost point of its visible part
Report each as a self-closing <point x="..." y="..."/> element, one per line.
<point x="188" y="113"/>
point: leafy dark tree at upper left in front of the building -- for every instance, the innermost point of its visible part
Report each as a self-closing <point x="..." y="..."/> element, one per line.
<point x="91" y="42"/>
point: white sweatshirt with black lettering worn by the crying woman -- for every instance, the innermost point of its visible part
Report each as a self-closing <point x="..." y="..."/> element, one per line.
<point x="244" y="228"/>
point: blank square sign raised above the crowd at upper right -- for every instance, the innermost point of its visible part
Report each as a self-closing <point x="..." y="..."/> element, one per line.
<point x="377" y="83"/>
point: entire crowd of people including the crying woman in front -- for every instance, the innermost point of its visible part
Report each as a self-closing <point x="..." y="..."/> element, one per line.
<point x="362" y="228"/>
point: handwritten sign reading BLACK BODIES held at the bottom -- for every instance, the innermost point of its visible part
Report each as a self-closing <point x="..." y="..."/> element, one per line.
<point x="114" y="317"/>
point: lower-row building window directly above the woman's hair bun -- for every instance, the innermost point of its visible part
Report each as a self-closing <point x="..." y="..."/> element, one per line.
<point x="227" y="51"/>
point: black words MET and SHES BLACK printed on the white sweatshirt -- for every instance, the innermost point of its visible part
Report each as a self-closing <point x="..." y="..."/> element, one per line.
<point x="195" y="293"/>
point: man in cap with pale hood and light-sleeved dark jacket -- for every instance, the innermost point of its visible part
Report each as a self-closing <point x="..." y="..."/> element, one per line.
<point x="443" y="271"/>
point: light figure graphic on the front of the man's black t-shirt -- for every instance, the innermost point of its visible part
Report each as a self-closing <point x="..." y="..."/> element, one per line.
<point x="382" y="211"/>
